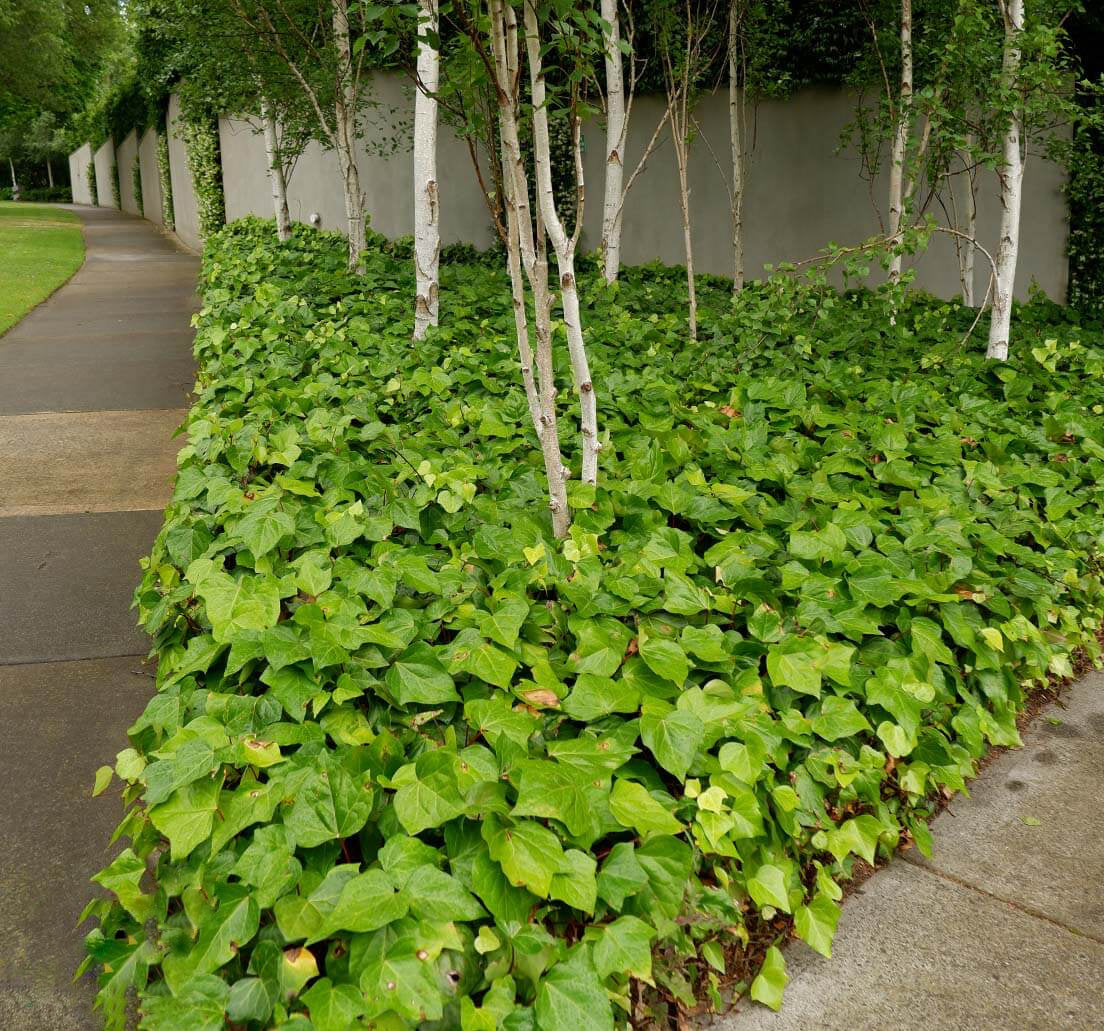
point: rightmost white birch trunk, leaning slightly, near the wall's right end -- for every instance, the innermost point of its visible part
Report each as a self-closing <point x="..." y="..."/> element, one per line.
<point x="1011" y="176"/>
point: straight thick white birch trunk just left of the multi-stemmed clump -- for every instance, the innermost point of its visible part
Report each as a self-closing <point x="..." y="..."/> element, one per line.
<point x="427" y="204"/>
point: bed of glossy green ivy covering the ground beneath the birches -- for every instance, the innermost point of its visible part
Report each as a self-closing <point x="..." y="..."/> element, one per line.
<point x="415" y="763"/>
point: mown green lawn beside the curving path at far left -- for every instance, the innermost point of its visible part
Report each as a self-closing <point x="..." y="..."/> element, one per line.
<point x="43" y="247"/>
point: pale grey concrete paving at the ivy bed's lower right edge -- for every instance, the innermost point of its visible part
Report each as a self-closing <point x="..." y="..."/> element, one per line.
<point x="1002" y="929"/>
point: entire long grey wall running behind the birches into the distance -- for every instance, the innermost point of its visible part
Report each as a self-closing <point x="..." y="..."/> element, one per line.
<point x="803" y="192"/>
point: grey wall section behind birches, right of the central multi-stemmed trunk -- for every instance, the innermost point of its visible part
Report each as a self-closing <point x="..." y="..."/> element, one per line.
<point x="802" y="195"/>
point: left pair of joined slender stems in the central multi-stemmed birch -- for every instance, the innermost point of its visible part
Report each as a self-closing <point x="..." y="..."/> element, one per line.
<point x="521" y="241"/>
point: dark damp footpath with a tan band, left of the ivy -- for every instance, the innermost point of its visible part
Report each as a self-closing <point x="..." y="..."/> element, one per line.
<point x="93" y="385"/>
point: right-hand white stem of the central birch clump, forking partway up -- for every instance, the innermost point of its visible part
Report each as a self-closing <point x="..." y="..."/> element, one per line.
<point x="565" y="248"/>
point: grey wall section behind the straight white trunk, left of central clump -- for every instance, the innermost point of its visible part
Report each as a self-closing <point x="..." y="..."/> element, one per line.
<point x="386" y="171"/>
